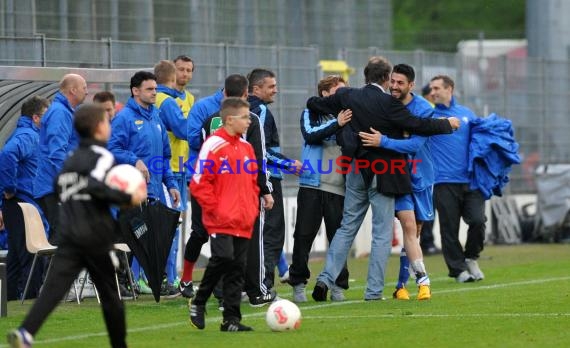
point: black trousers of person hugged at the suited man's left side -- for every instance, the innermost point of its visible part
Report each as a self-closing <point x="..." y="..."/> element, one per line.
<point x="314" y="205"/>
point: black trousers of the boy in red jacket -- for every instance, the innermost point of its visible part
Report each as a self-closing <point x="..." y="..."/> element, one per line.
<point x="228" y="260"/>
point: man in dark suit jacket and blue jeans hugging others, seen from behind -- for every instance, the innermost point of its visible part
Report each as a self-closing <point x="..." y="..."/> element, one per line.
<point x="375" y="174"/>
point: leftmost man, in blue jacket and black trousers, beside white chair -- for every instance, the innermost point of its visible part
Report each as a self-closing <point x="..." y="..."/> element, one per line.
<point x="18" y="165"/>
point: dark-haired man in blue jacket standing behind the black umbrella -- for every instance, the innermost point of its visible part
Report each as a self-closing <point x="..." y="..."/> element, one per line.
<point x="139" y="138"/>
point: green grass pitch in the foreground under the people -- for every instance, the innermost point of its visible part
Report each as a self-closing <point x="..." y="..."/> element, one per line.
<point x="524" y="301"/>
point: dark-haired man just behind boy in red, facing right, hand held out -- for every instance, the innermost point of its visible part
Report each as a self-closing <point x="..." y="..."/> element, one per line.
<point x="262" y="90"/>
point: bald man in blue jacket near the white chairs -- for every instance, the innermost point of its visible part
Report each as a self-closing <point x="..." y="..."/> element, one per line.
<point x="57" y="139"/>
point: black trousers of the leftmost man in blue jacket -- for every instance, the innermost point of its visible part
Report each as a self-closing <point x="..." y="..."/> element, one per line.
<point x="19" y="260"/>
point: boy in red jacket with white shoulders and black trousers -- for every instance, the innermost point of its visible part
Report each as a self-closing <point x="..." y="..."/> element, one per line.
<point x="226" y="188"/>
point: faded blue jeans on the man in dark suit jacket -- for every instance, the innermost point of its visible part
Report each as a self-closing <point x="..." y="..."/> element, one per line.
<point x="357" y="199"/>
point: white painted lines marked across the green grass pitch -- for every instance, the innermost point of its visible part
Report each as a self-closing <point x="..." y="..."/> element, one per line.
<point x="463" y="289"/>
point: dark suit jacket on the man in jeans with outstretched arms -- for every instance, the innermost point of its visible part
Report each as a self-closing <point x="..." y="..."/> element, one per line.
<point x="373" y="108"/>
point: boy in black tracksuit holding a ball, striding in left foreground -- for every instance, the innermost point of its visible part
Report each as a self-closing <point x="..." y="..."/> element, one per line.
<point x="88" y="230"/>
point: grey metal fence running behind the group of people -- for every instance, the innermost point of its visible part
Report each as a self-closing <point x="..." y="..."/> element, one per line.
<point x="533" y="93"/>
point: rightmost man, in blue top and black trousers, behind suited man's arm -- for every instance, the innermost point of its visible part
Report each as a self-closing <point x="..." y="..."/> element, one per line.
<point x="453" y="197"/>
